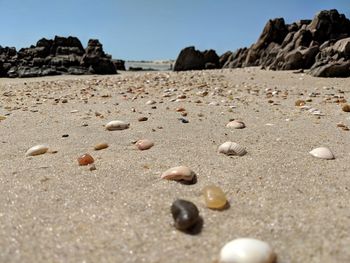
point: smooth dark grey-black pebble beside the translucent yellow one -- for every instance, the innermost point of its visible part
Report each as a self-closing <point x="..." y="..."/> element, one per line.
<point x="185" y="214"/>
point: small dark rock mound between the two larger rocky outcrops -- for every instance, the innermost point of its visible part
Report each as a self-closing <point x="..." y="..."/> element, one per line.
<point x="192" y="59"/>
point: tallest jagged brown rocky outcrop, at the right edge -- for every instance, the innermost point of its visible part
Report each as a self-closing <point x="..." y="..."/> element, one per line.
<point x="321" y="45"/>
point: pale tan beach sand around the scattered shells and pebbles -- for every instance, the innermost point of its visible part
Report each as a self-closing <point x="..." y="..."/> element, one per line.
<point x="53" y="210"/>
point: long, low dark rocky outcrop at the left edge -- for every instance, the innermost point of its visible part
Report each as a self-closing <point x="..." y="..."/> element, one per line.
<point x="61" y="55"/>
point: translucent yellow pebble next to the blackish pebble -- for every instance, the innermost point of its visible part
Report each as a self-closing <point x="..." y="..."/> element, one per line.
<point x="214" y="197"/>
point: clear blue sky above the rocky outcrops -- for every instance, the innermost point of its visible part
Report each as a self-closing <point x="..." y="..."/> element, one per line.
<point x="151" y="29"/>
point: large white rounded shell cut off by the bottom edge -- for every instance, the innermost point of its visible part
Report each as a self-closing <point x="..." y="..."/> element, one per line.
<point x="247" y="250"/>
